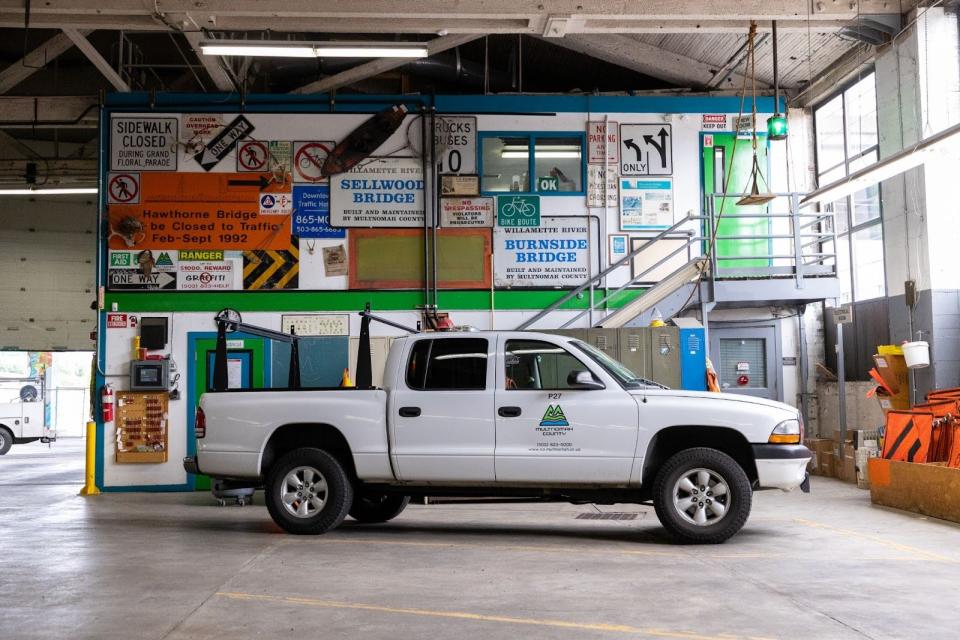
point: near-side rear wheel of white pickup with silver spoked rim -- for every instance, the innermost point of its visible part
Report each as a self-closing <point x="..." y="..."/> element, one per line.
<point x="308" y="492"/>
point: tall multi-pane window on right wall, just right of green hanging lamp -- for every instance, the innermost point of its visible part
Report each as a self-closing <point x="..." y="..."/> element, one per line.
<point x="846" y="141"/>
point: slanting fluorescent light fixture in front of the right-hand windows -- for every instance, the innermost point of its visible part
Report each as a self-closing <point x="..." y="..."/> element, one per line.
<point x="887" y="168"/>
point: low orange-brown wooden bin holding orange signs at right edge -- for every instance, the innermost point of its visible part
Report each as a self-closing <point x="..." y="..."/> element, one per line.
<point x="931" y="489"/>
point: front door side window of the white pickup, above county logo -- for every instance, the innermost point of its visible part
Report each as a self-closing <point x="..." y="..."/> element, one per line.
<point x="532" y="364"/>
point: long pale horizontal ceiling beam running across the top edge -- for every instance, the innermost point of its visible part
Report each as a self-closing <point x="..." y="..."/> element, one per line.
<point x="432" y="16"/>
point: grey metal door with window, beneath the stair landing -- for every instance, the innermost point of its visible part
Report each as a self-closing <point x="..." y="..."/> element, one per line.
<point x="746" y="360"/>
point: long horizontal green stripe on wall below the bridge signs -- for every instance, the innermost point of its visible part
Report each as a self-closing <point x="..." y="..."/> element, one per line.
<point x="459" y="300"/>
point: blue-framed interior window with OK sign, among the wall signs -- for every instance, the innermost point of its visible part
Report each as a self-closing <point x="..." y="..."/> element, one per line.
<point x="555" y="166"/>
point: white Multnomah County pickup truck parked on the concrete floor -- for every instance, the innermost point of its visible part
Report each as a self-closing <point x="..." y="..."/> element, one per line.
<point x="520" y="414"/>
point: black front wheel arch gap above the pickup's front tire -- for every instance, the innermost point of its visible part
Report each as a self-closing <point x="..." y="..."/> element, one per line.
<point x="671" y="440"/>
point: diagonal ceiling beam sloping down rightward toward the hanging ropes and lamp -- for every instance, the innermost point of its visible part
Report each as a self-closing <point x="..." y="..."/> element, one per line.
<point x="645" y="58"/>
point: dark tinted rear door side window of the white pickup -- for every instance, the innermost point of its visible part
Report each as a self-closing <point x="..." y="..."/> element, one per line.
<point x="448" y="364"/>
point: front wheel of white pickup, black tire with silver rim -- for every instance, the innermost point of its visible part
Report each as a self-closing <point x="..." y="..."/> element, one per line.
<point x="702" y="496"/>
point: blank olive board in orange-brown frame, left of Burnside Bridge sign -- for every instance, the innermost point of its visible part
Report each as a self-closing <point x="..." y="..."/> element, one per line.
<point x="393" y="259"/>
